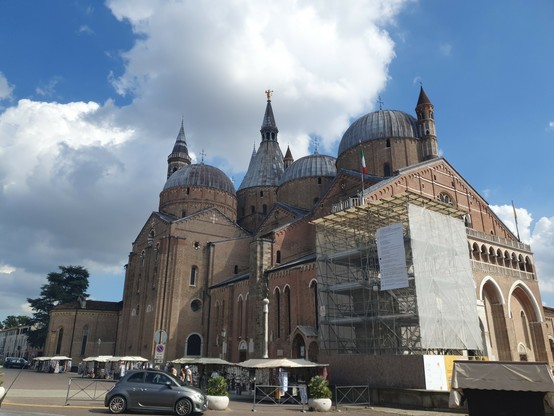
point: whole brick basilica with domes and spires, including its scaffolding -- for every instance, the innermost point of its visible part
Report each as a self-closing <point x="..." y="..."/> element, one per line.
<point x="377" y="260"/>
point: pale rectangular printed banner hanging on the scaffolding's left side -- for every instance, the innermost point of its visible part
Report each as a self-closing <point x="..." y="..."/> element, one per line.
<point x="392" y="257"/>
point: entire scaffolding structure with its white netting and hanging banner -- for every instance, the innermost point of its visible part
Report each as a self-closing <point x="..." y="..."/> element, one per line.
<point x="394" y="277"/>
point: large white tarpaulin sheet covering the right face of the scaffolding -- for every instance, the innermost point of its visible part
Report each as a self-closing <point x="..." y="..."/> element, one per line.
<point x="446" y="300"/>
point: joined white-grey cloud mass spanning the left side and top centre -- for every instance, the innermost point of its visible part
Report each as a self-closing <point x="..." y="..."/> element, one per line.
<point x="79" y="179"/>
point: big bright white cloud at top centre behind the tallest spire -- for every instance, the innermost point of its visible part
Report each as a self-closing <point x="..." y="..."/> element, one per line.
<point x="324" y="61"/>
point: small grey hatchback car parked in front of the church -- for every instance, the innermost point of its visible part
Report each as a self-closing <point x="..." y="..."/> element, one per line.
<point x="154" y="390"/>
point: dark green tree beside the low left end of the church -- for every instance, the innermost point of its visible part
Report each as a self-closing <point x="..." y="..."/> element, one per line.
<point x="62" y="287"/>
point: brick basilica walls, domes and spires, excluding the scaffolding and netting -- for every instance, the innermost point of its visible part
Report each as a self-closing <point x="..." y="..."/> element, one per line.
<point x="203" y="263"/>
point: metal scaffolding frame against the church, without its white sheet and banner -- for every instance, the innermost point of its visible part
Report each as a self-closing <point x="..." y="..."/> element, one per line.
<point x="356" y="316"/>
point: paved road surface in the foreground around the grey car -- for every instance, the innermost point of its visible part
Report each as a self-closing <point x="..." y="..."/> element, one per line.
<point x="32" y="393"/>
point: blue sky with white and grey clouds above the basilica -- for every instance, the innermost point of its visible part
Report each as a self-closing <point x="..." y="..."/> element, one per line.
<point x="92" y="96"/>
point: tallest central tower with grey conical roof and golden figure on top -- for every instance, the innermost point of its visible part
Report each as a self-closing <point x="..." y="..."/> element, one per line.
<point x="258" y="190"/>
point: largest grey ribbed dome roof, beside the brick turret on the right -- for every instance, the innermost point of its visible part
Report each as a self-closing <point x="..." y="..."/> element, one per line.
<point x="380" y="124"/>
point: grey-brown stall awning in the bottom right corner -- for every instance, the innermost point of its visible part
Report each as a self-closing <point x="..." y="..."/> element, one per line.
<point x="498" y="375"/>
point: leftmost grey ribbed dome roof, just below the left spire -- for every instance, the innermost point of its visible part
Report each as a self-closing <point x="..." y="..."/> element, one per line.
<point x="200" y="175"/>
